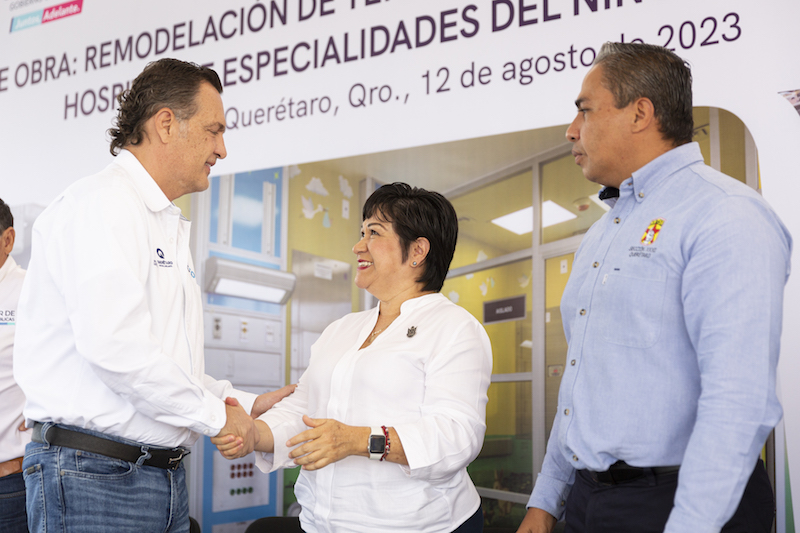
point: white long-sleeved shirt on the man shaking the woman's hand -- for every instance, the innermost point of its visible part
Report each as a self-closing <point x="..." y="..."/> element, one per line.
<point x="110" y="323"/>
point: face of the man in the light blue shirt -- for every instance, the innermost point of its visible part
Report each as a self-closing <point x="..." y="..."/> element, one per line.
<point x="600" y="133"/>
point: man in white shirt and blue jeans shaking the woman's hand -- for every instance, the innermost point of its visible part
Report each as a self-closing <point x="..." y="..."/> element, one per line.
<point x="109" y="348"/>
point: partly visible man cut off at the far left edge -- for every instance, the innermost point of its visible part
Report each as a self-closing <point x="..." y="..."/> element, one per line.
<point x="12" y="440"/>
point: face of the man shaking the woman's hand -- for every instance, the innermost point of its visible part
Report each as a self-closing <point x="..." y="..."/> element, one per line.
<point x="200" y="143"/>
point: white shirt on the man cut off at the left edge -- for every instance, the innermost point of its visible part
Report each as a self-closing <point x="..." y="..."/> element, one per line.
<point x="12" y="441"/>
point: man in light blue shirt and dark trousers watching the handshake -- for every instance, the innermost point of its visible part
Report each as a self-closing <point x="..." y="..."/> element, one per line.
<point x="673" y="316"/>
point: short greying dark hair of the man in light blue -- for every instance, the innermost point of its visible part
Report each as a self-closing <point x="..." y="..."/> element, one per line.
<point x="634" y="70"/>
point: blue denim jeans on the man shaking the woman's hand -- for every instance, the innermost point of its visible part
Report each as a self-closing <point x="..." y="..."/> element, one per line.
<point x="77" y="491"/>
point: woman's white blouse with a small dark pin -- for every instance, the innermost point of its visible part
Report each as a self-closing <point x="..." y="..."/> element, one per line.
<point x="426" y="375"/>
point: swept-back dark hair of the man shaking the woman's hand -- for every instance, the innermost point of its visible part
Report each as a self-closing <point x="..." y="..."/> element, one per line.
<point x="164" y="83"/>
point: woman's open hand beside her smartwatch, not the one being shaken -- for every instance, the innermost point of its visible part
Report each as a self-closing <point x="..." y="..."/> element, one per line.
<point x="326" y="442"/>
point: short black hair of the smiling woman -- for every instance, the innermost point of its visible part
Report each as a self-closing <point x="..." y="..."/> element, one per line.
<point x="416" y="213"/>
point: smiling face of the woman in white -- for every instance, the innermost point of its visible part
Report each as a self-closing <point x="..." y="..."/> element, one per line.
<point x="381" y="269"/>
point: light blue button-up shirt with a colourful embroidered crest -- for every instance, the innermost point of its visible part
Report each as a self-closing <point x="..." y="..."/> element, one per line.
<point x="673" y="317"/>
